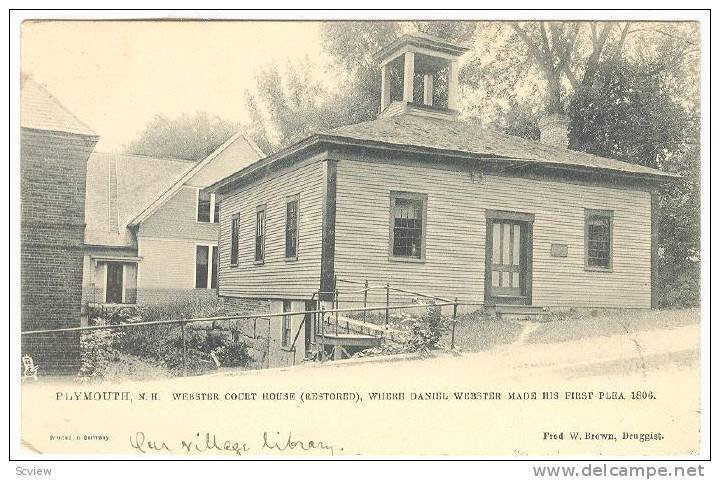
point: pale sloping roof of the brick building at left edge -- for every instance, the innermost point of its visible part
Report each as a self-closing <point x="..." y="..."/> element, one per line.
<point x="40" y="110"/>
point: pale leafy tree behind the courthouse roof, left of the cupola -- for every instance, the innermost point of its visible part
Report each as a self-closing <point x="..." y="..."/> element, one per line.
<point x="290" y="104"/>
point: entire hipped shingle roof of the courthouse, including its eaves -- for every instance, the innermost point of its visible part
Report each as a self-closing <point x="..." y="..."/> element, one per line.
<point x="452" y="139"/>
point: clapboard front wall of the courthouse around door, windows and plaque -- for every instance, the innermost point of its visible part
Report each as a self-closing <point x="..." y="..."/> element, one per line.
<point x="455" y="236"/>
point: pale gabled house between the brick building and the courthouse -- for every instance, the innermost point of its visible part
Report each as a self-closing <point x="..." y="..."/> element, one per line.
<point x="152" y="230"/>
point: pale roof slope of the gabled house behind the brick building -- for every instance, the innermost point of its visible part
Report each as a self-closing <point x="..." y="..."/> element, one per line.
<point x="139" y="179"/>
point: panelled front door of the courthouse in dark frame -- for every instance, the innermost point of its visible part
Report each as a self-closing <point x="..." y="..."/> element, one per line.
<point x="507" y="274"/>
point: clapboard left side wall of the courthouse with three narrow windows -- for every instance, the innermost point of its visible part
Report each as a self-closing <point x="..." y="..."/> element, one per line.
<point x="276" y="278"/>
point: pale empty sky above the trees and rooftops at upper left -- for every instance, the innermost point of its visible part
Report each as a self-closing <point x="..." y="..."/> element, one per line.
<point x="115" y="75"/>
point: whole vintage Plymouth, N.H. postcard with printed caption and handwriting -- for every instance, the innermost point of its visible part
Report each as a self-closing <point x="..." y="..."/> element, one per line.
<point x="360" y="238"/>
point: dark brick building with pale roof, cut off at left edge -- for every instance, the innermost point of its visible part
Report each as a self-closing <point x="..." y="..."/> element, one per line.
<point x="54" y="148"/>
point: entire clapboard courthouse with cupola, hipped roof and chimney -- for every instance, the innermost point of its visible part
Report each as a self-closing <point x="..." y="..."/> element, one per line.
<point x="426" y="202"/>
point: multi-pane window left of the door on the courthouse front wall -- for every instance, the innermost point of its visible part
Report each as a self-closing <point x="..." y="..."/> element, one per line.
<point x="408" y="214"/>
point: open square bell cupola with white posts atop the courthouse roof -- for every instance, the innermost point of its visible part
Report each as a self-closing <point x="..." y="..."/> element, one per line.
<point x="420" y="76"/>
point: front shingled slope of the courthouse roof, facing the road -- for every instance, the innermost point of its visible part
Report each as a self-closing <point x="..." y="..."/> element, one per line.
<point x="462" y="137"/>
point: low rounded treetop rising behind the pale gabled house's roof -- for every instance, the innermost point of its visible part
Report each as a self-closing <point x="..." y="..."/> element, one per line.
<point x="186" y="137"/>
